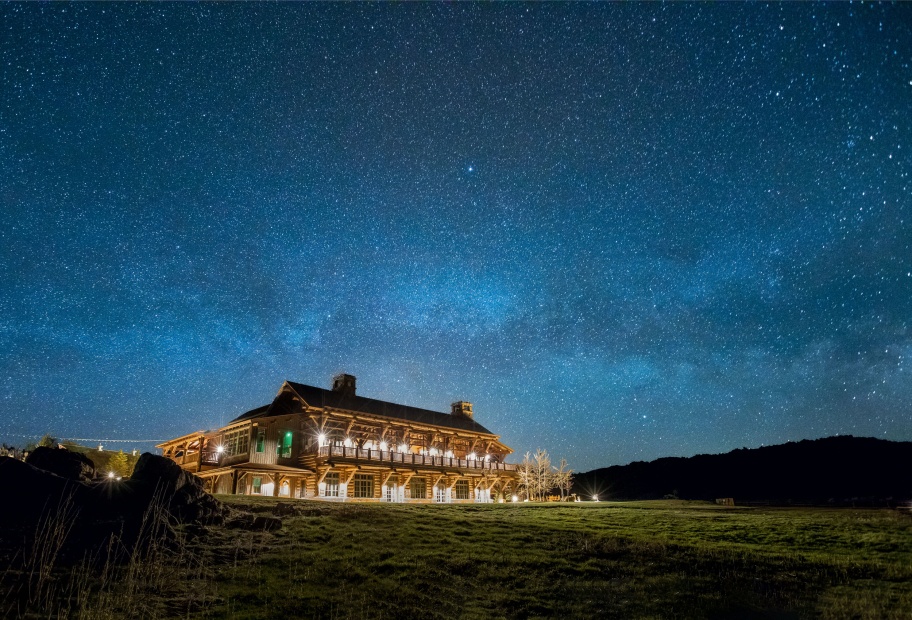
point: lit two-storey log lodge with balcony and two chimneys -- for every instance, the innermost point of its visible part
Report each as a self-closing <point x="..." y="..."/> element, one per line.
<point x="332" y="444"/>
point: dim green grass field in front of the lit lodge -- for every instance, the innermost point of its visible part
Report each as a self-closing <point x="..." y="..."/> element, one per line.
<point x="669" y="559"/>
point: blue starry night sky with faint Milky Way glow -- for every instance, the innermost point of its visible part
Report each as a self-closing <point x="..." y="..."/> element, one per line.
<point x="621" y="231"/>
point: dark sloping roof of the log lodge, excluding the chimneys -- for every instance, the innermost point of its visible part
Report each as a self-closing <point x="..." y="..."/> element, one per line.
<point x="318" y="397"/>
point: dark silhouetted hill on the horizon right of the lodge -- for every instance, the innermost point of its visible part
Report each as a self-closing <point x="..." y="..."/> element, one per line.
<point x="835" y="470"/>
